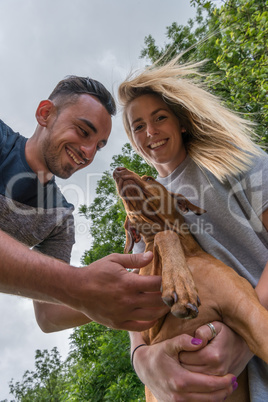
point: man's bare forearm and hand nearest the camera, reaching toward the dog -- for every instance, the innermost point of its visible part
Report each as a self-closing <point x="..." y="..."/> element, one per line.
<point x="104" y="291"/>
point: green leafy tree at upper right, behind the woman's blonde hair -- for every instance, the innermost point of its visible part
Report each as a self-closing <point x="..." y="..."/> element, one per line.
<point x="234" y="39"/>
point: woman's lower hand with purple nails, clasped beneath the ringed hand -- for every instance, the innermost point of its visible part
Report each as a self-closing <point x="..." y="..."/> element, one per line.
<point x="159" y="368"/>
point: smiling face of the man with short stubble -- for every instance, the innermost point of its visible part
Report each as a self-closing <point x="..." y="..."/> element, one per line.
<point x="73" y="137"/>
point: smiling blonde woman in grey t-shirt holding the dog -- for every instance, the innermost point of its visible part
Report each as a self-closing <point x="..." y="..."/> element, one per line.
<point x="205" y="152"/>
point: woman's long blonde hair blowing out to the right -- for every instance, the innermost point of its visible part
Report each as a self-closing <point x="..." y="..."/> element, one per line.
<point x="216" y="138"/>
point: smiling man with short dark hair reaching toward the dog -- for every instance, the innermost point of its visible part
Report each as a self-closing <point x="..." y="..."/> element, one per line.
<point x="73" y="124"/>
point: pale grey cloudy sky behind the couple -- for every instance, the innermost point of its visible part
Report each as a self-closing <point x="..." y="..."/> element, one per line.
<point x="40" y="43"/>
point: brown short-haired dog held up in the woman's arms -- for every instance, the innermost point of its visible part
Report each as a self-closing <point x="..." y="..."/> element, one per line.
<point x="156" y="215"/>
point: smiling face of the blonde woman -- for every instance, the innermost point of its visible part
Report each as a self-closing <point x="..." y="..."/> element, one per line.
<point x="156" y="132"/>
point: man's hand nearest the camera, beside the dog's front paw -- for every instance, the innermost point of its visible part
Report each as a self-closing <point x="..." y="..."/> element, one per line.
<point x="110" y="295"/>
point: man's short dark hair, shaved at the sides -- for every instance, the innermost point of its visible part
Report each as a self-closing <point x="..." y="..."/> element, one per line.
<point x="72" y="86"/>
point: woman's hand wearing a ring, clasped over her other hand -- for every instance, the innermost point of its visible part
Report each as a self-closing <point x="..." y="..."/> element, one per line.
<point x="226" y="353"/>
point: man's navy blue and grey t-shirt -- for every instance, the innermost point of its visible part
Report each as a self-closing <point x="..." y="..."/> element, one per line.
<point x="37" y="215"/>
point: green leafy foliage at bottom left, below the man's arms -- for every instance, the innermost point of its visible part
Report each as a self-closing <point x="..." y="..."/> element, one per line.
<point x="97" y="369"/>
